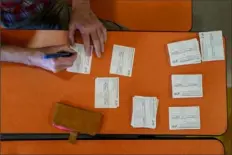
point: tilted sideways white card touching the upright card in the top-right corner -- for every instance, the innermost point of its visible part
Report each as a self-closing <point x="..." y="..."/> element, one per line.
<point x="184" y="52"/>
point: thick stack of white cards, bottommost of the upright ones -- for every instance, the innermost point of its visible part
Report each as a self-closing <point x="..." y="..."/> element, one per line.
<point x="144" y="112"/>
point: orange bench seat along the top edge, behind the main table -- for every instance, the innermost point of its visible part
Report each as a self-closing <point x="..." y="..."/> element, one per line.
<point x="146" y="15"/>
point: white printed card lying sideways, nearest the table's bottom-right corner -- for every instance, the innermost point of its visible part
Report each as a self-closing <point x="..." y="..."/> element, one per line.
<point x="181" y="118"/>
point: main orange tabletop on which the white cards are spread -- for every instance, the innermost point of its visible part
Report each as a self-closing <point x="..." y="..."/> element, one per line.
<point x="28" y="95"/>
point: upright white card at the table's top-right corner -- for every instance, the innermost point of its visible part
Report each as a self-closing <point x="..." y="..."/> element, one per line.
<point x="212" y="47"/>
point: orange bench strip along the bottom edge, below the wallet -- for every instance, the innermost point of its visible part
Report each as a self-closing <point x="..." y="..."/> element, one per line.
<point x="149" y="147"/>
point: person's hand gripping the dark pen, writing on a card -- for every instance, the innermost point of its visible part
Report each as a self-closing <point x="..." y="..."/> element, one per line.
<point x="54" y="65"/>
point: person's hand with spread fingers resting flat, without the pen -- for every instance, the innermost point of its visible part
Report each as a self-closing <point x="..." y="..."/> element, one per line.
<point x="91" y="29"/>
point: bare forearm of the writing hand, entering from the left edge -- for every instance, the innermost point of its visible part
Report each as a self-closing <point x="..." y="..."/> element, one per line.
<point x="17" y="54"/>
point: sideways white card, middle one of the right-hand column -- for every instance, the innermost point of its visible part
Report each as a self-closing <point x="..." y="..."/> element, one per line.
<point x="187" y="86"/>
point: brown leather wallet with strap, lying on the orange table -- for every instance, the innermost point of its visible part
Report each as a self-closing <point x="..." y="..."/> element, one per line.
<point x="76" y="120"/>
